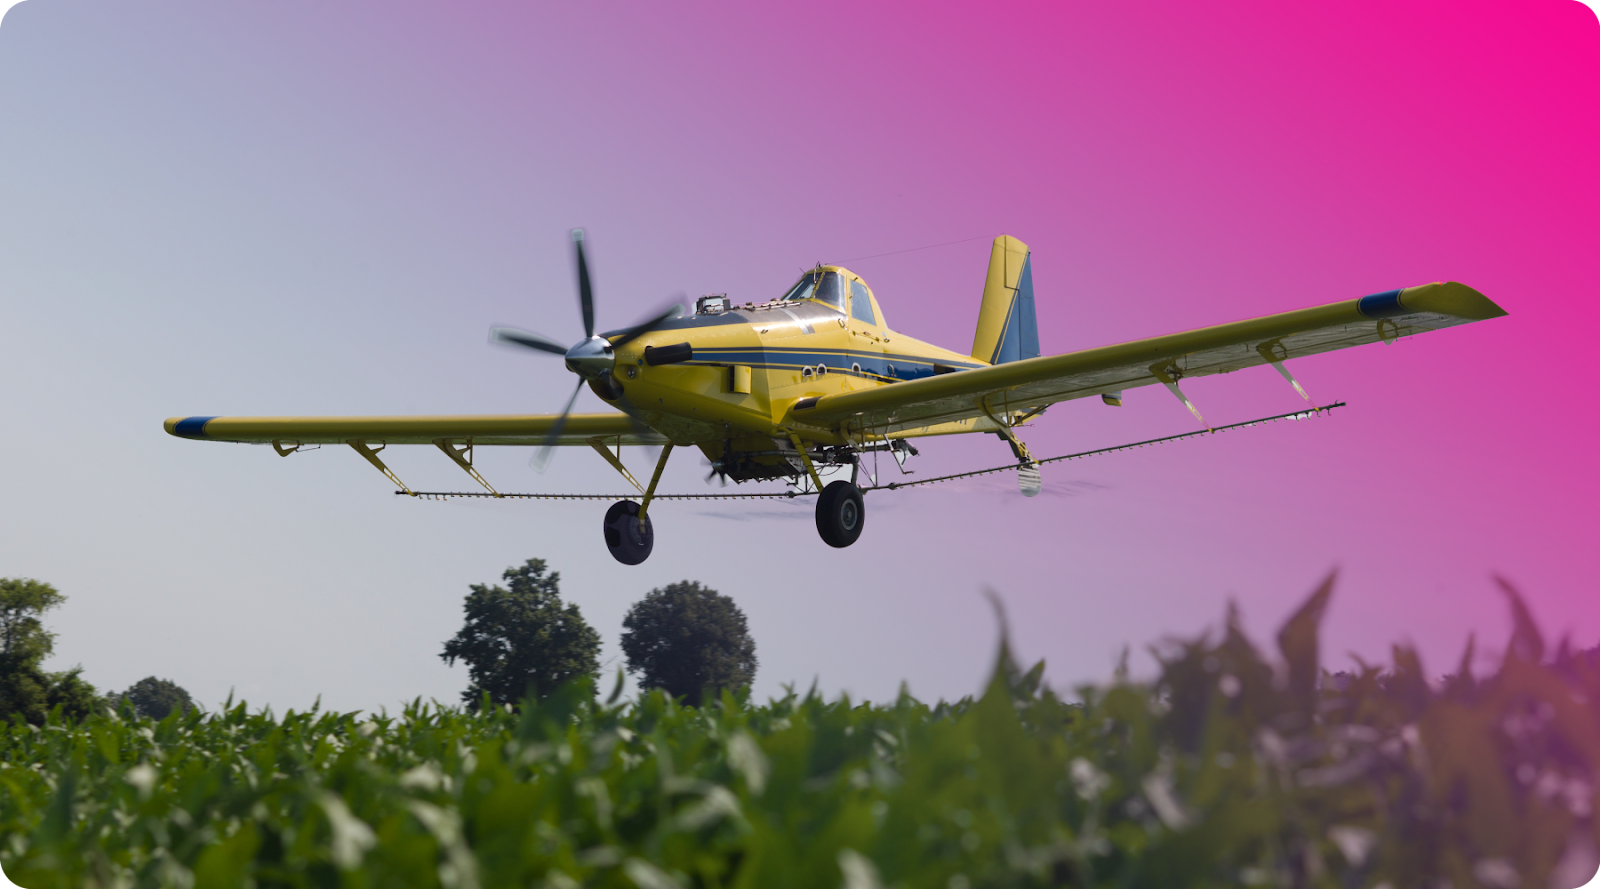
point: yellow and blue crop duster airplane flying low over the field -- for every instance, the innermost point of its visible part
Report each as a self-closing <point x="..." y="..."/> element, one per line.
<point x="809" y="385"/>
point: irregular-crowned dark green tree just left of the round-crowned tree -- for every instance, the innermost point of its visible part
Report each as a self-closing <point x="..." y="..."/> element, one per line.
<point x="522" y="640"/>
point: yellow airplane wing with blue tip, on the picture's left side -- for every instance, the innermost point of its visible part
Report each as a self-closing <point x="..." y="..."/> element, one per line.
<point x="492" y="429"/>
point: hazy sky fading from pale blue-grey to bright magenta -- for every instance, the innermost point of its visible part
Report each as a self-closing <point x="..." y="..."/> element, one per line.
<point x="308" y="209"/>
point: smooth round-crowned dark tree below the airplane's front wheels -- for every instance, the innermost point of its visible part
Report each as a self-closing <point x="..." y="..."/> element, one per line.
<point x="689" y="642"/>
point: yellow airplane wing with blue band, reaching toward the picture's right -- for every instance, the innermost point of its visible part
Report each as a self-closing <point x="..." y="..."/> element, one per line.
<point x="908" y="409"/>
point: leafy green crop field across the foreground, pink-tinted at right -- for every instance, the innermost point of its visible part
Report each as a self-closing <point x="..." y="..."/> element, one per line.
<point x="1225" y="771"/>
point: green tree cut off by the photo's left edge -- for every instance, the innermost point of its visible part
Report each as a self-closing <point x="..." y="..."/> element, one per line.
<point x="26" y="690"/>
